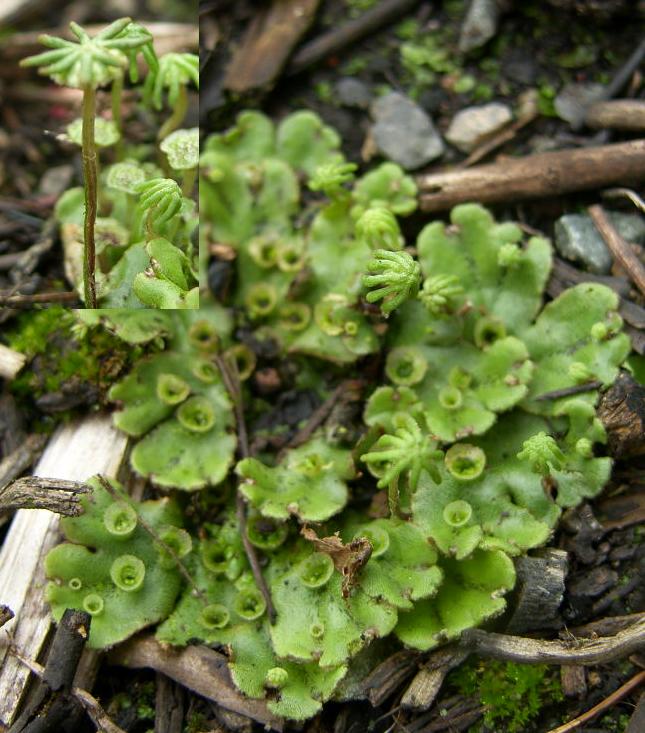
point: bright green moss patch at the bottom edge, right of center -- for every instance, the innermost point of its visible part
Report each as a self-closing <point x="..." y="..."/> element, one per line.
<point x="514" y="694"/>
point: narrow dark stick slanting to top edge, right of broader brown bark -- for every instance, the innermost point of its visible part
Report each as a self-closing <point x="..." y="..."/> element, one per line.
<point x="382" y="14"/>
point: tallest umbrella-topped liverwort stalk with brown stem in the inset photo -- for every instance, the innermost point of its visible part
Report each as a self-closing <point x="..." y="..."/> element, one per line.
<point x="88" y="64"/>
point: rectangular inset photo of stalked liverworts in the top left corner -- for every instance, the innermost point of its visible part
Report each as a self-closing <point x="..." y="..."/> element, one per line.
<point x="99" y="148"/>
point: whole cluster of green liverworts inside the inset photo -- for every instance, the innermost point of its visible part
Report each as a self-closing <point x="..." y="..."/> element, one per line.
<point x="139" y="252"/>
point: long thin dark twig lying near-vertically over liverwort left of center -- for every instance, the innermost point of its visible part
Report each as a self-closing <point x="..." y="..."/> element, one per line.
<point x="231" y="380"/>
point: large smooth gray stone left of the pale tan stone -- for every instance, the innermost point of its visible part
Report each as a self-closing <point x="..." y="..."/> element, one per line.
<point x="403" y="132"/>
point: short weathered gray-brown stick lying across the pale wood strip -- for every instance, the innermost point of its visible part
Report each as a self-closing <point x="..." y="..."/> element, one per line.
<point x="54" y="495"/>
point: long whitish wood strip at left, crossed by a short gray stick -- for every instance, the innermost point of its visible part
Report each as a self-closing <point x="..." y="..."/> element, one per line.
<point x="75" y="452"/>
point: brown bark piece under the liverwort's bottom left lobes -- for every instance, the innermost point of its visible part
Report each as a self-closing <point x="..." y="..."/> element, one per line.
<point x="198" y="668"/>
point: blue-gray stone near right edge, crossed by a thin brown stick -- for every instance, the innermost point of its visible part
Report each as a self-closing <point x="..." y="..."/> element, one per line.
<point x="577" y="239"/>
